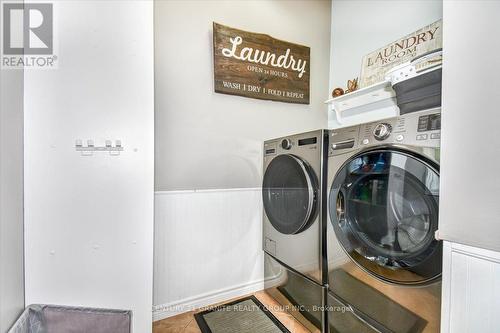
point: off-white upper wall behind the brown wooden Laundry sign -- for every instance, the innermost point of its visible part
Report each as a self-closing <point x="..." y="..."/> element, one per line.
<point x="208" y="140"/>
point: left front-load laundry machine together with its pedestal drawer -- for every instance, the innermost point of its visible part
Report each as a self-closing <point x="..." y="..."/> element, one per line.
<point x="294" y="224"/>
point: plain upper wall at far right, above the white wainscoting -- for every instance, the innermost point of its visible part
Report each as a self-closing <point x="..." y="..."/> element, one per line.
<point x="470" y="150"/>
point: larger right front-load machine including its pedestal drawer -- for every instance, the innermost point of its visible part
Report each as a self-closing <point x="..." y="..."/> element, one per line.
<point x="384" y="262"/>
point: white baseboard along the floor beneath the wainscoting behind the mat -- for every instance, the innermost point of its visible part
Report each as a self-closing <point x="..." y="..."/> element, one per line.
<point x="167" y="310"/>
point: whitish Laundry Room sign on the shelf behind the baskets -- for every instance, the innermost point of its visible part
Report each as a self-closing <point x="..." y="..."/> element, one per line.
<point x="376" y="64"/>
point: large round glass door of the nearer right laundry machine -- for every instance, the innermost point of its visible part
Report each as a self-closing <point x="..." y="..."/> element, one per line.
<point x="384" y="210"/>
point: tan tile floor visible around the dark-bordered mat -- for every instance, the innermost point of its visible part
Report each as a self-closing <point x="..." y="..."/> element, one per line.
<point x="185" y="323"/>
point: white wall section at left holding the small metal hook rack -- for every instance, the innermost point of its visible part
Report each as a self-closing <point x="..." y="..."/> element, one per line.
<point x="89" y="220"/>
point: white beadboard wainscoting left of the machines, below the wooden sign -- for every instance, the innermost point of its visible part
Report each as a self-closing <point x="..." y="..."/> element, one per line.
<point x="208" y="248"/>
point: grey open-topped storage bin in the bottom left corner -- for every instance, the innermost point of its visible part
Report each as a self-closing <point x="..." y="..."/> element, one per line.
<point x="62" y="319"/>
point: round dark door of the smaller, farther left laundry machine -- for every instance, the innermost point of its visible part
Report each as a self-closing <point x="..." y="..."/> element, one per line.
<point x="289" y="194"/>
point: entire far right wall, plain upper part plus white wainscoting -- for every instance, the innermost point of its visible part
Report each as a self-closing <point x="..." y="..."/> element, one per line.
<point x="470" y="185"/>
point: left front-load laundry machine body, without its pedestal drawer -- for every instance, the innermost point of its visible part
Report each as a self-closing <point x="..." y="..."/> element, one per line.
<point x="294" y="214"/>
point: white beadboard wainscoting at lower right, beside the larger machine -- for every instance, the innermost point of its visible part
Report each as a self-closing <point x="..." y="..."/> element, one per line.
<point x="471" y="289"/>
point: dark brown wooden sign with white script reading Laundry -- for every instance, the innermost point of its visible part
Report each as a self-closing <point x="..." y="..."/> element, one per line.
<point x="259" y="66"/>
